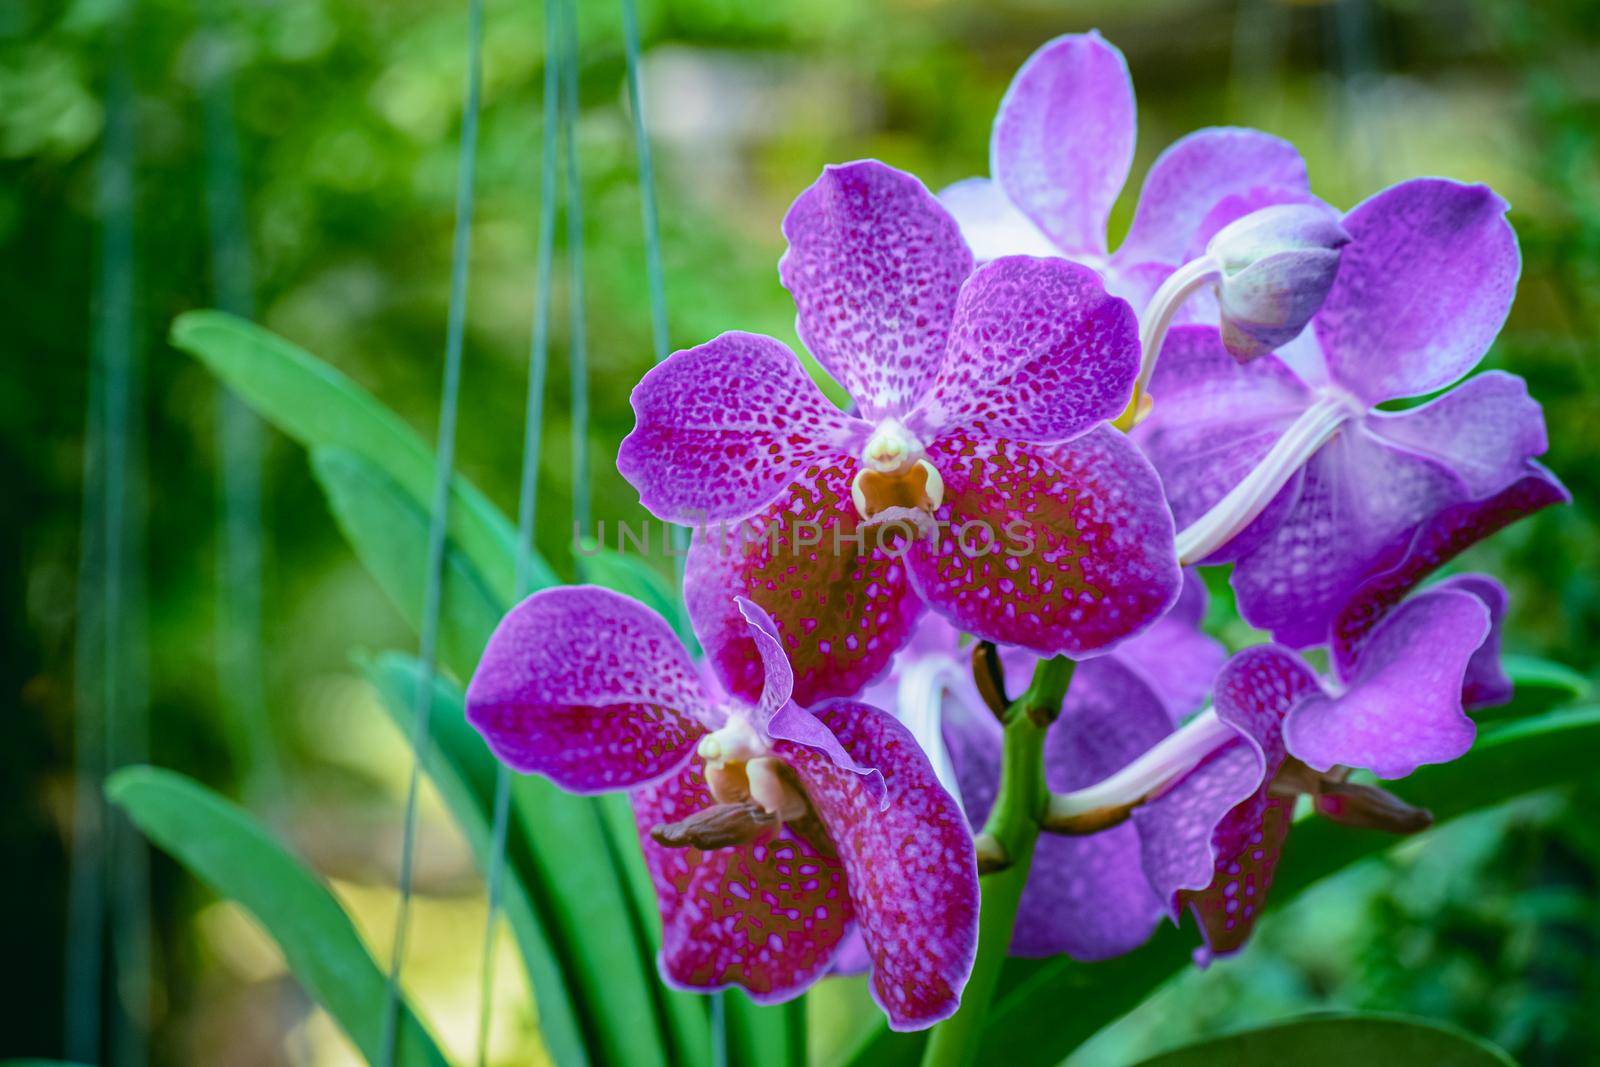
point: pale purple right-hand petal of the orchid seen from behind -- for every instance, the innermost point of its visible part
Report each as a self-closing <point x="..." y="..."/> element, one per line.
<point x="1484" y="430"/>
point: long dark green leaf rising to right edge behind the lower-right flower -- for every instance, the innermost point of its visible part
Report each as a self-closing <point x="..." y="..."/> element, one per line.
<point x="1508" y="761"/>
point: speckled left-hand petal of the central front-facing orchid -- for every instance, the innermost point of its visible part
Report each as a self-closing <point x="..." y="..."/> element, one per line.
<point x="726" y="426"/>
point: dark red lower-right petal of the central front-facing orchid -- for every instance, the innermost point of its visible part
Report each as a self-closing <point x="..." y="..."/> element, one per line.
<point x="1058" y="549"/>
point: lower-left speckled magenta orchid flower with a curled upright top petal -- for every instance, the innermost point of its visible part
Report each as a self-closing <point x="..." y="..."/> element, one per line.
<point x="770" y="833"/>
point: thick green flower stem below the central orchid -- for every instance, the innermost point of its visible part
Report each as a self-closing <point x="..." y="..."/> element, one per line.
<point x="1007" y="837"/>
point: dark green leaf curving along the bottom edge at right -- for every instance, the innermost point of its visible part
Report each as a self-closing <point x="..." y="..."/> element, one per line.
<point x="1340" y="1041"/>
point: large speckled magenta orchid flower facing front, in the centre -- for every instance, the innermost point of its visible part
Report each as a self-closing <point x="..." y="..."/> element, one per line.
<point x="977" y="476"/>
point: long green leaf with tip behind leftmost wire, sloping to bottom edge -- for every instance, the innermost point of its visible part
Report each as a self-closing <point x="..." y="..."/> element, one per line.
<point x="465" y="773"/>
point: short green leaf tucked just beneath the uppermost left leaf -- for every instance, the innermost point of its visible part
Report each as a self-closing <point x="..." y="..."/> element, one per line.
<point x="390" y="535"/>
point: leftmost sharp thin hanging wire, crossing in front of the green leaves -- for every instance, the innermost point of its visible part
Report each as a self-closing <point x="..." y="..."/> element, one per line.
<point x="444" y="468"/>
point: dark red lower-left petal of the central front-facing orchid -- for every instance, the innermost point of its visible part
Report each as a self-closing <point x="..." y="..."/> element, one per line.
<point x="841" y="601"/>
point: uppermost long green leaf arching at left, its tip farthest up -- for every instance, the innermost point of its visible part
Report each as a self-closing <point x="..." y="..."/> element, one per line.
<point x="318" y="406"/>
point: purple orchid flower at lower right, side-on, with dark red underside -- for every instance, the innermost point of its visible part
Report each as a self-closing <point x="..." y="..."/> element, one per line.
<point x="1212" y="841"/>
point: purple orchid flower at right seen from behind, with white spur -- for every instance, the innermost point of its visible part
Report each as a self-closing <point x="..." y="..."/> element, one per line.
<point x="1287" y="465"/>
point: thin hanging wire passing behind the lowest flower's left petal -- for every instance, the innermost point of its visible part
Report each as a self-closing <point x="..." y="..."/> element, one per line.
<point x="529" y="498"/>
